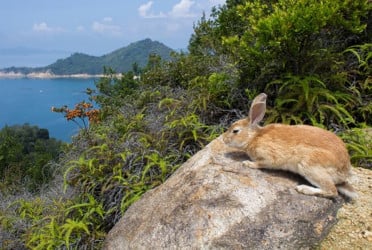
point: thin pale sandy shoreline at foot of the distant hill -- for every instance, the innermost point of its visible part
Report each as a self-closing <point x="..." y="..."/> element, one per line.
<point x="44" y="75"/>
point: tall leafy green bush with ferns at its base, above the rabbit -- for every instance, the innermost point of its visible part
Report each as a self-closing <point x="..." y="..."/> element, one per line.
<point x="294" y="51"/>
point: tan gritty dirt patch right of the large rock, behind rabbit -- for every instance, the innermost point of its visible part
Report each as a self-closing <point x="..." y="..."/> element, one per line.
<point x="354" y="227"/>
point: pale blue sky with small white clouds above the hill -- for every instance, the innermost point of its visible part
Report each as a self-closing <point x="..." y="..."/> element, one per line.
<point x="37" y="32"/>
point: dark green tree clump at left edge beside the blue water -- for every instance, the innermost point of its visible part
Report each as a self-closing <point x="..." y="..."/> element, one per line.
<point x="25" y="153"/>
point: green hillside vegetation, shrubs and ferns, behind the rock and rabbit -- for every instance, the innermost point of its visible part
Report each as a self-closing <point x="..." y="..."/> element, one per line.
<point x="312" y="58"/>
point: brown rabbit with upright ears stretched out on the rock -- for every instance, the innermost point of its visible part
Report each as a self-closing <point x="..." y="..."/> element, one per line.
<point x="314" y="153"/>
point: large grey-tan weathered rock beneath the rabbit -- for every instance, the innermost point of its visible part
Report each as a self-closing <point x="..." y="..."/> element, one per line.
<point x="213" y="201"/>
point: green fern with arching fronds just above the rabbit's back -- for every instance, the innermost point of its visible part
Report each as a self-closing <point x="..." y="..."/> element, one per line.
<point x="307" y="99"/>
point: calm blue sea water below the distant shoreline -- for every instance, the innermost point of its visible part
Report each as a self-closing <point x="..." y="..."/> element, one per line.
<point x="30" y="101"/>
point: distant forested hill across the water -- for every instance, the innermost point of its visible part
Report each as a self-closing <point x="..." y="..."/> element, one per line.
<point x="120" y="60"/>
